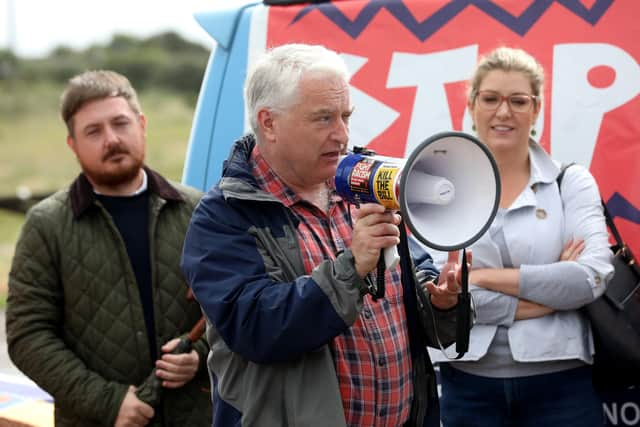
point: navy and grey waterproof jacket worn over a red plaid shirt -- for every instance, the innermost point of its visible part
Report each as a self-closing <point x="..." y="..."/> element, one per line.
<point x="270" y="324"/>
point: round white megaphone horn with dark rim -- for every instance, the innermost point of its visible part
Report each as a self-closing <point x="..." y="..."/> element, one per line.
<point x="470" y="167"/>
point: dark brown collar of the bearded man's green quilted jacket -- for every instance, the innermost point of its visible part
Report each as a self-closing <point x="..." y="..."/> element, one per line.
<point x="83" y="197"/>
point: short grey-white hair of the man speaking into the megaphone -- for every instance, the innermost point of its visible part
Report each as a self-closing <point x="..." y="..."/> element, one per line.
<point x="273" y="80"/>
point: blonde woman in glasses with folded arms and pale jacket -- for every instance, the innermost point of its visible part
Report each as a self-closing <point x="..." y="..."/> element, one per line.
<point x="545" y="256"/>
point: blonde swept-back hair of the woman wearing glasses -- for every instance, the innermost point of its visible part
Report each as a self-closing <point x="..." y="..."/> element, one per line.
<point x="508" y="59"/>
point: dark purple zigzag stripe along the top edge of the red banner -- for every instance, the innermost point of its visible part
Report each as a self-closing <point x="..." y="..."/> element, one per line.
<point x="423" y="30"/>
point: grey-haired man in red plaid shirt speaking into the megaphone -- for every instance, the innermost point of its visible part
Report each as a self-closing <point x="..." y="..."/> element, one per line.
<point x="281" y="266"/>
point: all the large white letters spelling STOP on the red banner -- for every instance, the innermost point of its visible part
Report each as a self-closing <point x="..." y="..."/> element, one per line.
<point x="577" y="107"/>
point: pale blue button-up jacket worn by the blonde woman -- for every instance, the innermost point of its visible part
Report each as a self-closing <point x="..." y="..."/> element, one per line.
<point x="535" y="228"/>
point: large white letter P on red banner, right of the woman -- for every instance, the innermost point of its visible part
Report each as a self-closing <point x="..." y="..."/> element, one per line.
<point x="577" y="106"/>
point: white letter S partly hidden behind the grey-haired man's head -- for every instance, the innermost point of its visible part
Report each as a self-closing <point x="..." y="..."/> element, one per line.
<point x="373" y="117"/>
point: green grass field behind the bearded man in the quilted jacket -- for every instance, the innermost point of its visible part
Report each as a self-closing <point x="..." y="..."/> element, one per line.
<point x="34" y="153"/>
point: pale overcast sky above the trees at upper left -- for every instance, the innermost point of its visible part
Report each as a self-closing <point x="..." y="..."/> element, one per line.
<point x="32" y="28"/>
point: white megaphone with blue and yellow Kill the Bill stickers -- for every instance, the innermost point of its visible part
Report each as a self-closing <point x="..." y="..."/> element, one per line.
<point x="447" y="190"/>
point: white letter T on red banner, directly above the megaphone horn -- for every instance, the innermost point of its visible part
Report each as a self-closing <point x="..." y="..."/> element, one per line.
<point x="429" y="73"/>
